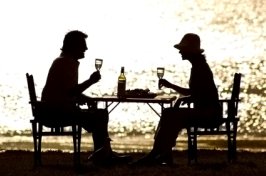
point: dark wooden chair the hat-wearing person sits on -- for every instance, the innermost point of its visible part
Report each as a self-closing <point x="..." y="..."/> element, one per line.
<point x="227" y="126"/>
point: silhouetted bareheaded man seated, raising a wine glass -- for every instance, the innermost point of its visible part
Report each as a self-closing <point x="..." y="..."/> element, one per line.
<point x="63" y="94"/>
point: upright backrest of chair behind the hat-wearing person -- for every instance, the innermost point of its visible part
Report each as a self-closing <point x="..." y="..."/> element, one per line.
<point x="233" y="105"/>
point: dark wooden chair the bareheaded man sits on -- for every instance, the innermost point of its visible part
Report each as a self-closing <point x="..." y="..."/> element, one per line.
<point x="57" y="130"/>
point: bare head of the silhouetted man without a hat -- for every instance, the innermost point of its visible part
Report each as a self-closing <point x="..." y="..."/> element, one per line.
<point x="74" y="44"/>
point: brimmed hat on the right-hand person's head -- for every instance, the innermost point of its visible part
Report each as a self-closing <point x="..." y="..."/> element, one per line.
<point x="190" y="42"/>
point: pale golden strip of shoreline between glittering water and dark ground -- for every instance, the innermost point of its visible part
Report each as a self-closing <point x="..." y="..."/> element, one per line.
<point x="127" y="144"/>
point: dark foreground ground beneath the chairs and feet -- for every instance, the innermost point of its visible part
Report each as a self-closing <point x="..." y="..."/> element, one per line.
<point x="210" y="162"/>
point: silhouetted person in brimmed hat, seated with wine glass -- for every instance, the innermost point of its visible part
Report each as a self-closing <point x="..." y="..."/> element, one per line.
<point x="202" y="92"/>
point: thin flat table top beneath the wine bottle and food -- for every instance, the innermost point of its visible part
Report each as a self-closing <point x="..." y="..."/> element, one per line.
<point x="157" y="99"/>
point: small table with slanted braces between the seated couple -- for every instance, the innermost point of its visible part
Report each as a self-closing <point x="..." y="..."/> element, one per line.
<point x="162" y="100"/>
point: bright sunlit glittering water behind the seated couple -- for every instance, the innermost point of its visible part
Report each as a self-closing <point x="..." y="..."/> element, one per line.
<point x="140" y="36"/>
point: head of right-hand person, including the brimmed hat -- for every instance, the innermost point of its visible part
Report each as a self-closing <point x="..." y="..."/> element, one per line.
<point x="189" y="46"/>
